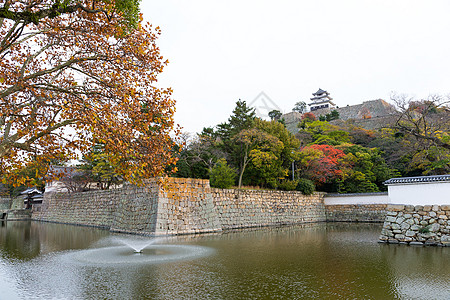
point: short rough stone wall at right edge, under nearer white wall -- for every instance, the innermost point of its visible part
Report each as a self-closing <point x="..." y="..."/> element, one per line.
<point x="417" y="225"/>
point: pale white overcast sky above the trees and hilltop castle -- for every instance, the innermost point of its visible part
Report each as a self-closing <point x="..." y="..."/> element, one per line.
<point x="223" y="51"/>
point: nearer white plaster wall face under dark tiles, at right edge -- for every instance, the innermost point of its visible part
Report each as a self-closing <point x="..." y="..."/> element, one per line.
<point x="420" y="193"/>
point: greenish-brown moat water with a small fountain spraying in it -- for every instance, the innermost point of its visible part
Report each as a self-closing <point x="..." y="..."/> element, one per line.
<point x="322" y="261"/>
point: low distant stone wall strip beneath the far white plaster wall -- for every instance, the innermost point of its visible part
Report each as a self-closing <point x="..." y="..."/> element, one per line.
<point x="356" y="212"/>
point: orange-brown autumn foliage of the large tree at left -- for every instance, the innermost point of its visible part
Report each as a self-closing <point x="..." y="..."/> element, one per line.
<point x="79" y="79"/>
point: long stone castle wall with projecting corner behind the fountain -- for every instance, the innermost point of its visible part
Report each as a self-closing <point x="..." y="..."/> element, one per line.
<point x="180" y="206"/>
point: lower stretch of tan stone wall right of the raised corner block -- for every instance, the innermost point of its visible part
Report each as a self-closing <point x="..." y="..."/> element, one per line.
<point x="253" y="208"/>
